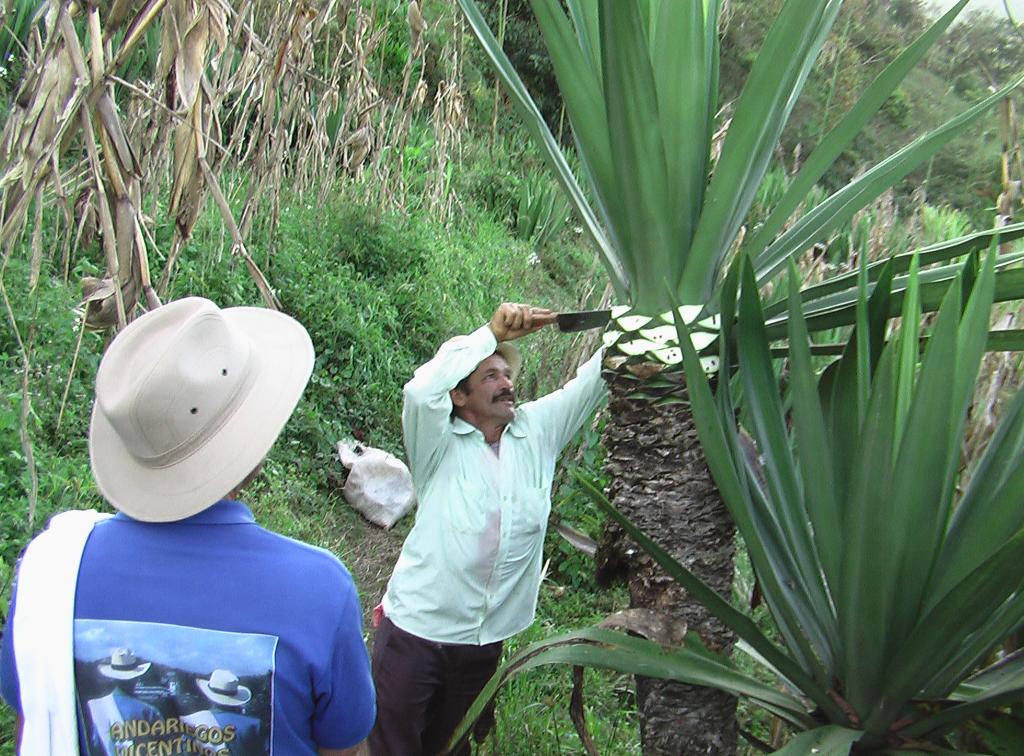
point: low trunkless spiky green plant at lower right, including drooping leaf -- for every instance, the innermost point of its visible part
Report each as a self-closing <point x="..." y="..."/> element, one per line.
<point x="887" y="587"/>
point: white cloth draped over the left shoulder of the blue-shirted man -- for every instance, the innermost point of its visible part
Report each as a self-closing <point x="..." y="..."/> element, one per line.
<point x="44" y="624"/>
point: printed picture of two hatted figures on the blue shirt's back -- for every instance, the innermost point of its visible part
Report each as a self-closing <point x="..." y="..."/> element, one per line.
<point x="150" y="690"/>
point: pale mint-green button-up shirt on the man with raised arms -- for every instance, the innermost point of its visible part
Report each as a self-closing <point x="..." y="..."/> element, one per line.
<point x="471" y="570"/>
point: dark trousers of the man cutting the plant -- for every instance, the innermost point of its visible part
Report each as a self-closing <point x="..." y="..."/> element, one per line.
<point x="424" y="690"/>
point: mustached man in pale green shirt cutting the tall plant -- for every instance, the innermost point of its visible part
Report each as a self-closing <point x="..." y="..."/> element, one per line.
<point x="470" y="572"/>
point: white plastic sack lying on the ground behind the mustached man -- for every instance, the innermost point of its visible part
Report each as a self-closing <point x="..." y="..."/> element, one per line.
<point x="379" y="485"/>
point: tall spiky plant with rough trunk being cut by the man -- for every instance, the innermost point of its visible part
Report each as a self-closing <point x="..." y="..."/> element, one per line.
<point x="667" y="211"/>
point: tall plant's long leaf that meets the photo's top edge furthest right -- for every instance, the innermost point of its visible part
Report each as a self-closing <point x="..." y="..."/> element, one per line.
<point x="840" y="138"/>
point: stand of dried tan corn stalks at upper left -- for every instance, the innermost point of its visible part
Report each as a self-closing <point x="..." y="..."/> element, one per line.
<point x="109" y="142"/>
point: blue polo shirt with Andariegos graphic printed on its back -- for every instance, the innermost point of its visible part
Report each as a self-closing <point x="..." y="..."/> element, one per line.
<point x="279" y="620"/>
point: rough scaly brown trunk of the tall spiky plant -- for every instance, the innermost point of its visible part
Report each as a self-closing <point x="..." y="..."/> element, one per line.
<point x="661" y="481"/>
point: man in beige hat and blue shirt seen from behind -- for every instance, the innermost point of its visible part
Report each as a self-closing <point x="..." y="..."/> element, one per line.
<point x="190" y="400"/>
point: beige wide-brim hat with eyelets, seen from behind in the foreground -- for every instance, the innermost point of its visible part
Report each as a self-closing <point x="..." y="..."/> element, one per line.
<point x="190" y="399"/>
